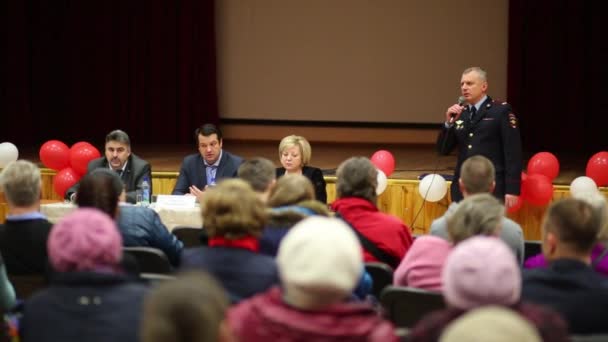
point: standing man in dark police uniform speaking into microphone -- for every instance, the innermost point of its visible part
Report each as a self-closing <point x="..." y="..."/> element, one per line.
<point x="481" y="126"/>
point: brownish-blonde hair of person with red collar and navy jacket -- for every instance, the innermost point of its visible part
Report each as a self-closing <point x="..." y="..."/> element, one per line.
<point x="233" y="210"/>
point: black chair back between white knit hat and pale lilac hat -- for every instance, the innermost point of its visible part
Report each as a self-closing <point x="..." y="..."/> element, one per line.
<point x="405" y="306"/>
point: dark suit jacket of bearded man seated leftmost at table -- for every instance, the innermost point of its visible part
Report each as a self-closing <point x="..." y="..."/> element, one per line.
<point x="137" y="169"/>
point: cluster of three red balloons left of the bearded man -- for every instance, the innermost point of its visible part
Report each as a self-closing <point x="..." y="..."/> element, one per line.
<point x="71" y="163"/>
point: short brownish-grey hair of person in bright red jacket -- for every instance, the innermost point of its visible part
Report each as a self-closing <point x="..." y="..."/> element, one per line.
<point x="357" y="177"/>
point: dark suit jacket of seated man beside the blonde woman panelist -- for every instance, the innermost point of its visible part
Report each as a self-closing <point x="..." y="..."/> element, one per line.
<point x="193" y="172"/>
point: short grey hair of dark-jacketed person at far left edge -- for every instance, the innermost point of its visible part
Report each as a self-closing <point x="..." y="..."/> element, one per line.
<point x="20" y="181"/>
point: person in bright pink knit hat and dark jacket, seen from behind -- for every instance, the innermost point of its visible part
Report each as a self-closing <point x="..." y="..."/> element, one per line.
<point x="90" y="298"/>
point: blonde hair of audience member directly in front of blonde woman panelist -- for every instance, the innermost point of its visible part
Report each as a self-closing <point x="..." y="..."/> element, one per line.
<point x="291" y="189"/>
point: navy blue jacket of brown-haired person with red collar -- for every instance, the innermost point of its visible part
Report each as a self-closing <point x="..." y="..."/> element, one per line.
<point x="243" y="273"/>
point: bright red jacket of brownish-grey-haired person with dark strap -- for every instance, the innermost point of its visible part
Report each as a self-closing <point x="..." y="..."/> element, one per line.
<point x="387" y="232"/>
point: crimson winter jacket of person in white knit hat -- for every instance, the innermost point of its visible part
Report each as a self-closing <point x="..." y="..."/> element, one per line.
<point x="266" y="318"/>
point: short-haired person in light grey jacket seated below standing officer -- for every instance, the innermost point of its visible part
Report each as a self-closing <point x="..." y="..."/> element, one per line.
<point x="477" y="176"/>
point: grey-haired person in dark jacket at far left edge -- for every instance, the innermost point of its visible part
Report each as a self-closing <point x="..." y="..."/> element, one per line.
<point x="24" y="235"/>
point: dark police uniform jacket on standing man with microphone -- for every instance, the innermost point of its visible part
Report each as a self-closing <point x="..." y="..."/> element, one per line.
<point x="494" y="134"/>
